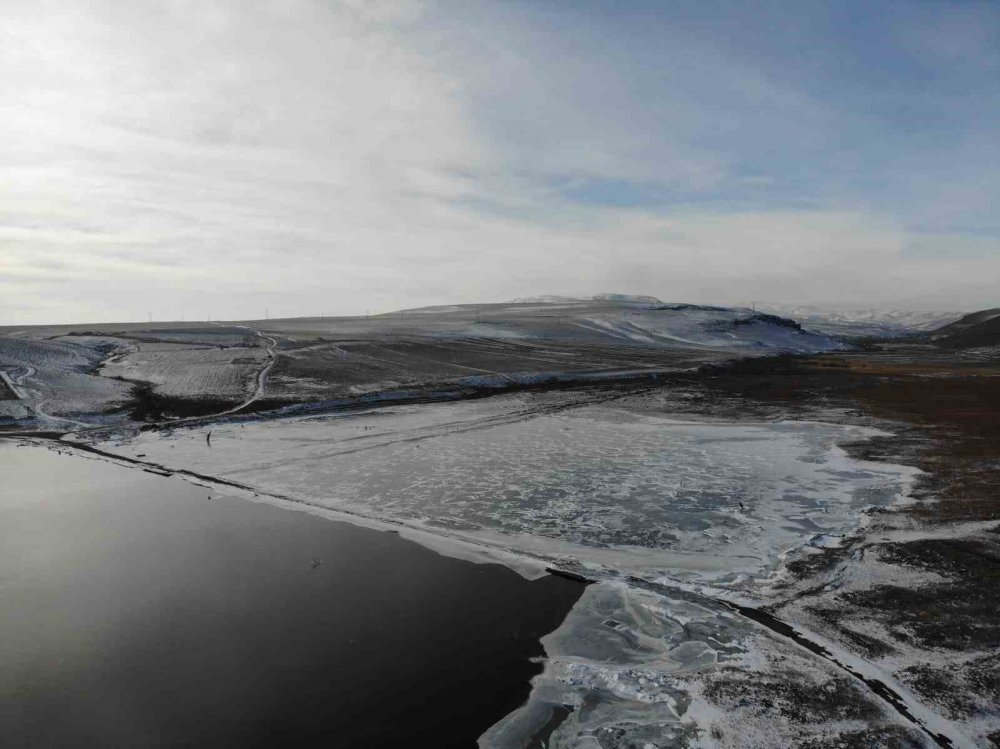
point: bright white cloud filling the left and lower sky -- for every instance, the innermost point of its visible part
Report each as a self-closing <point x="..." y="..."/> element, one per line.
<point x="319" y="158"/>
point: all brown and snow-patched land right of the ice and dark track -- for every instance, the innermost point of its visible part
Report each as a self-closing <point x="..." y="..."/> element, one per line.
<point x="944" y="415"/>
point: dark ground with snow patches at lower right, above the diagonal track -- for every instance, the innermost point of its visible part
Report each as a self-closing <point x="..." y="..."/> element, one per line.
<point x="912" y="601"/>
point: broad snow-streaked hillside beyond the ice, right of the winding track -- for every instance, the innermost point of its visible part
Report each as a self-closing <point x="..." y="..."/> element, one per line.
<point x="500" y="345"/>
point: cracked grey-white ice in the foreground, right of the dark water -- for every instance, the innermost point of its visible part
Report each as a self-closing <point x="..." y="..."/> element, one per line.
<point x="617" y="663"/>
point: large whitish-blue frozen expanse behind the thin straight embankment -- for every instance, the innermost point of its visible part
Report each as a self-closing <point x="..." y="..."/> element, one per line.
<point x="600" y="486"/>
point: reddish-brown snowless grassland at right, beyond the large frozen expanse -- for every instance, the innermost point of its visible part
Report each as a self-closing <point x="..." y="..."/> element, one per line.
<point x="945" y="413"/>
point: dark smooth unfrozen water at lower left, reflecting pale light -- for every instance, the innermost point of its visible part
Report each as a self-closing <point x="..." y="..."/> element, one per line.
<point x="134" y="612"/>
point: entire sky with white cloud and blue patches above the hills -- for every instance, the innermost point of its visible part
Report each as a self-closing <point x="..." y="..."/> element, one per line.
<point x="222" y="158"/>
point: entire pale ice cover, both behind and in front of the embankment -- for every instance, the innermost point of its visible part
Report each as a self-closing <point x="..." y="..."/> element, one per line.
<point x="664" y="513"/>
